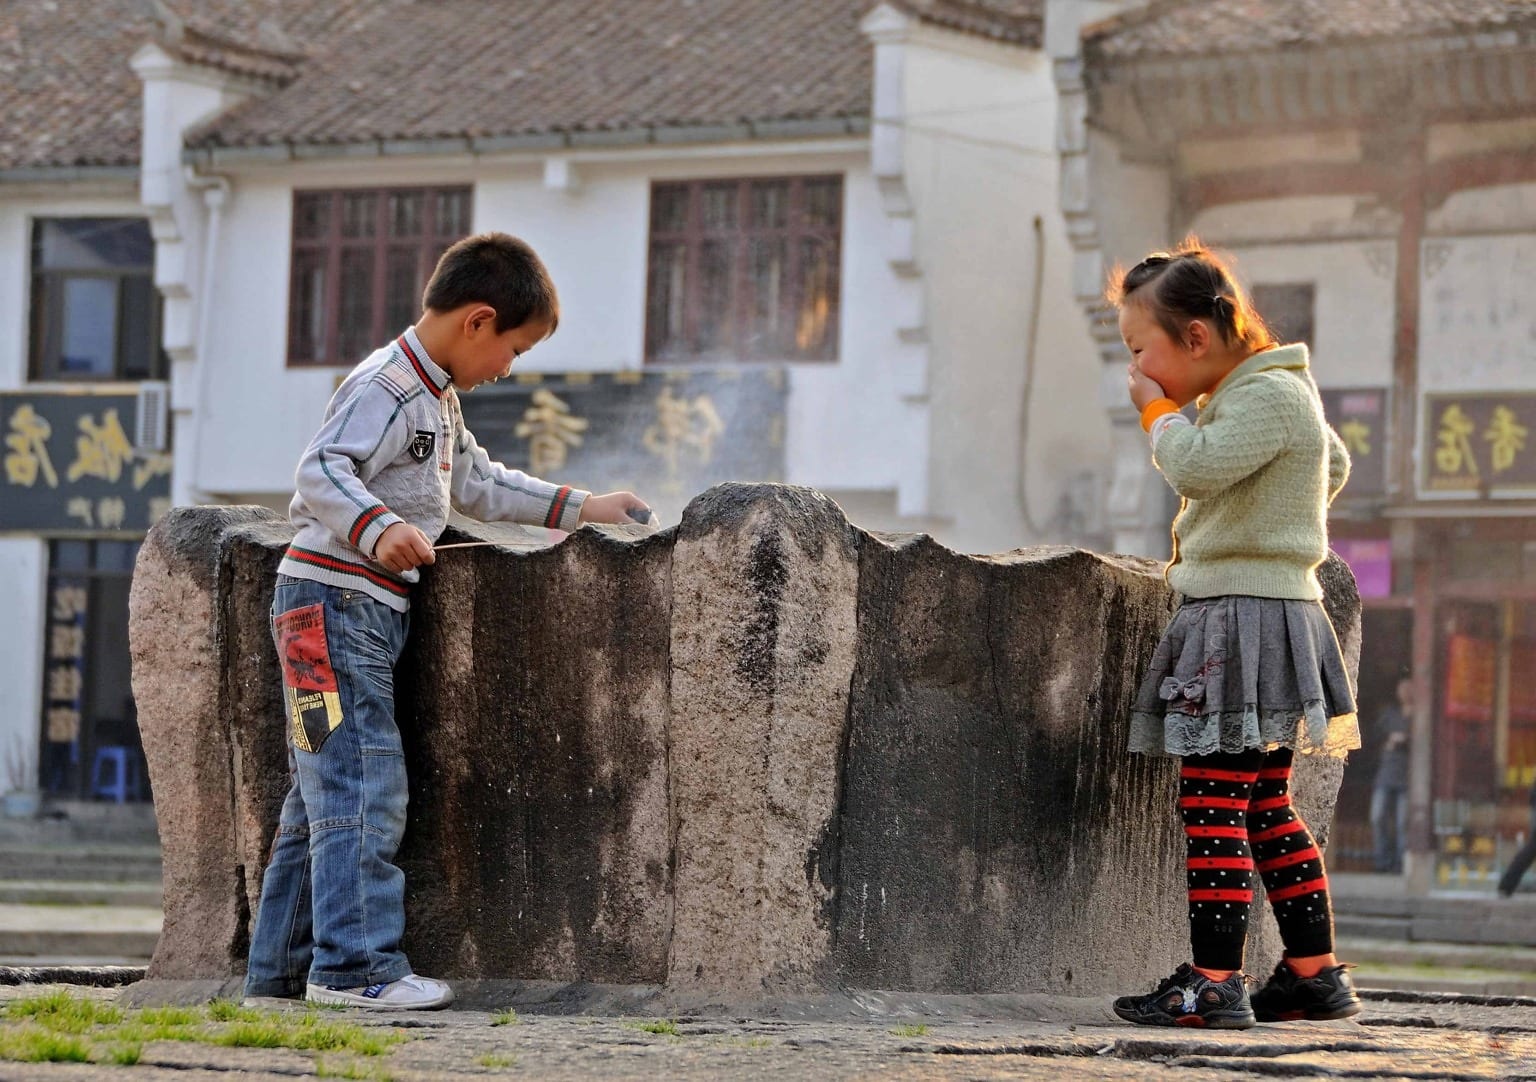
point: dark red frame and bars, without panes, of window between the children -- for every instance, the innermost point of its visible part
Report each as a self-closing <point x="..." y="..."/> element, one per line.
<point x="744" y="302"/>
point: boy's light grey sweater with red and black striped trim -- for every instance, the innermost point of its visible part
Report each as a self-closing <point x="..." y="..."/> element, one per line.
<point x="394" y="450"/>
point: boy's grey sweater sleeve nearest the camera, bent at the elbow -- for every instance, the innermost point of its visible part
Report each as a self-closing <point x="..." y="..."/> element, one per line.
<point x="362" y="437"/>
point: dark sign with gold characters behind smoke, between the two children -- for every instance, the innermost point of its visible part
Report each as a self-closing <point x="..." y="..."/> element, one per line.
<point x="664" y="434"/>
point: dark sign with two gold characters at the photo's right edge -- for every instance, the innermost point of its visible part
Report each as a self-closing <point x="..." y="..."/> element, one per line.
<point x="1480" y="443"/>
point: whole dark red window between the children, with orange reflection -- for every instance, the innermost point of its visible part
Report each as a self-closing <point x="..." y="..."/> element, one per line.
<point x="744" y="270"/>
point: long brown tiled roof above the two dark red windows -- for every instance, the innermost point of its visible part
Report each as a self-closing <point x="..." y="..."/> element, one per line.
<point x="488" y="68"/>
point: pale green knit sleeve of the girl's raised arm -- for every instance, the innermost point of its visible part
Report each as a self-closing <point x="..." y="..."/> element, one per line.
<point x="1246" y="431"/>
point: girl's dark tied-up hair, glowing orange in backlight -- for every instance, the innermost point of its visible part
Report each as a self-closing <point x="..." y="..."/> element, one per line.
<point x="1191" y="284"/>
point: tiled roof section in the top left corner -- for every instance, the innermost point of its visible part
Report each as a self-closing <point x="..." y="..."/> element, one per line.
<point x="67" y="93"/>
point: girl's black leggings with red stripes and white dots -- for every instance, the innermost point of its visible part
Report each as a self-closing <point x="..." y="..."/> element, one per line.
<point x="1237" y="812"/>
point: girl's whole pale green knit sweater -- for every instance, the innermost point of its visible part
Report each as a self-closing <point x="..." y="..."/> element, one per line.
<point x="1257" y="473"/>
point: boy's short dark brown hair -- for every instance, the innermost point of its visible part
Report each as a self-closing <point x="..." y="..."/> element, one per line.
<point x="495" y="270"/>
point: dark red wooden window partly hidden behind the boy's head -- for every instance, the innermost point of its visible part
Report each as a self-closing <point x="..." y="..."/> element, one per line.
<point x="362" y="261"/>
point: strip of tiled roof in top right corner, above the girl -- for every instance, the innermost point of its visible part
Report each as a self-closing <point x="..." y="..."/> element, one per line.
<point x="1187" y="28"/>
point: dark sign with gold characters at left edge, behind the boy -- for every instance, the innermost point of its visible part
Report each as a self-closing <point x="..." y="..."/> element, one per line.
<point x="71" y="466"/>
